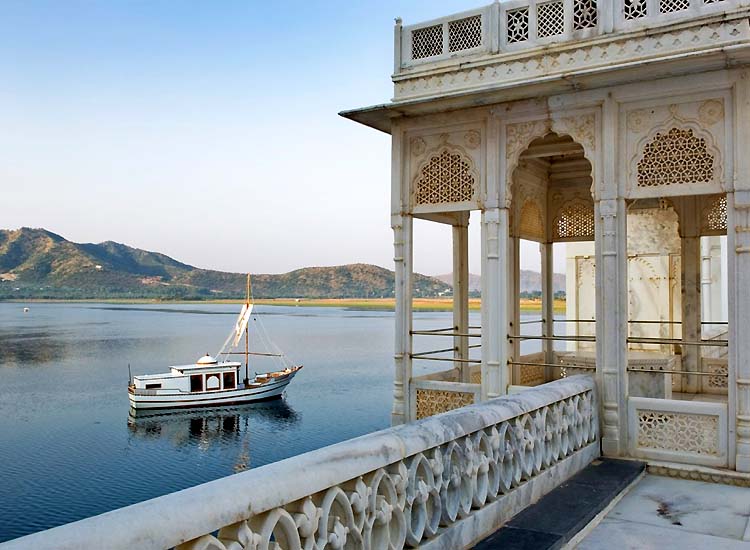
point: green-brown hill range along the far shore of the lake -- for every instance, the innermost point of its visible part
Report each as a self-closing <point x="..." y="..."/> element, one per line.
<point x="36" y="263"/>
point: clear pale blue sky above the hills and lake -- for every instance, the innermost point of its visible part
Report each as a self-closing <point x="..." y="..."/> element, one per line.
<point x="209" y="130"/>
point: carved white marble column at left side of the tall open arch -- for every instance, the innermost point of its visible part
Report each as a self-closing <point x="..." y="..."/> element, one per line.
<point x="495" y="299"/>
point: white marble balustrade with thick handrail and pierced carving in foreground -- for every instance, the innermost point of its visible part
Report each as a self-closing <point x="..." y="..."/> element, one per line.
<point x="442" y="480"/>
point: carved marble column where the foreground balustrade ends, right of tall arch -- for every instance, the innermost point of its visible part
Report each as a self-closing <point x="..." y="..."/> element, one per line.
<point x="611" y="322"/>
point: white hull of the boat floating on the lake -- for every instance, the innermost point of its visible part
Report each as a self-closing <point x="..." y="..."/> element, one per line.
<point x="168" y="399"/>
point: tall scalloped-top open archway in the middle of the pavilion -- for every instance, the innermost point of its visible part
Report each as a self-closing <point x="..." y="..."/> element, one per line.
<point x="552" y="326"/>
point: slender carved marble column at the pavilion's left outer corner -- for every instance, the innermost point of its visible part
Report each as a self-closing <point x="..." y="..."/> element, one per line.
<point x="402" y="247"/>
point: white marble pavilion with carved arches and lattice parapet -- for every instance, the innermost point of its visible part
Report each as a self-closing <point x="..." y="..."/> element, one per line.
<point x="618" y="127"/>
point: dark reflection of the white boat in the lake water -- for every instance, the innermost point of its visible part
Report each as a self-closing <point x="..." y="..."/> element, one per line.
<point x="228" y="427"/>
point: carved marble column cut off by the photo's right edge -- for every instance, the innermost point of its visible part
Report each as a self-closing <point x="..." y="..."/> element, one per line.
<point x="739" y="319"/>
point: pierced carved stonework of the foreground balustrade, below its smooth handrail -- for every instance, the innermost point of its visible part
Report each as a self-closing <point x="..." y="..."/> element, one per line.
<point x="407" y="502"/>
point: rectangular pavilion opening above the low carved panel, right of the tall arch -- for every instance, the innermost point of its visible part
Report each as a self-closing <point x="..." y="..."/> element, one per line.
<point x="677" y="288"/>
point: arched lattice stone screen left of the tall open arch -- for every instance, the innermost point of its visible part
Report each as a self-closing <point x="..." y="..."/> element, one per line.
<point x="446" y="178"/>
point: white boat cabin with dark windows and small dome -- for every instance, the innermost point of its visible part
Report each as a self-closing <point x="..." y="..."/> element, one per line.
<point x="207" y="374"/>
